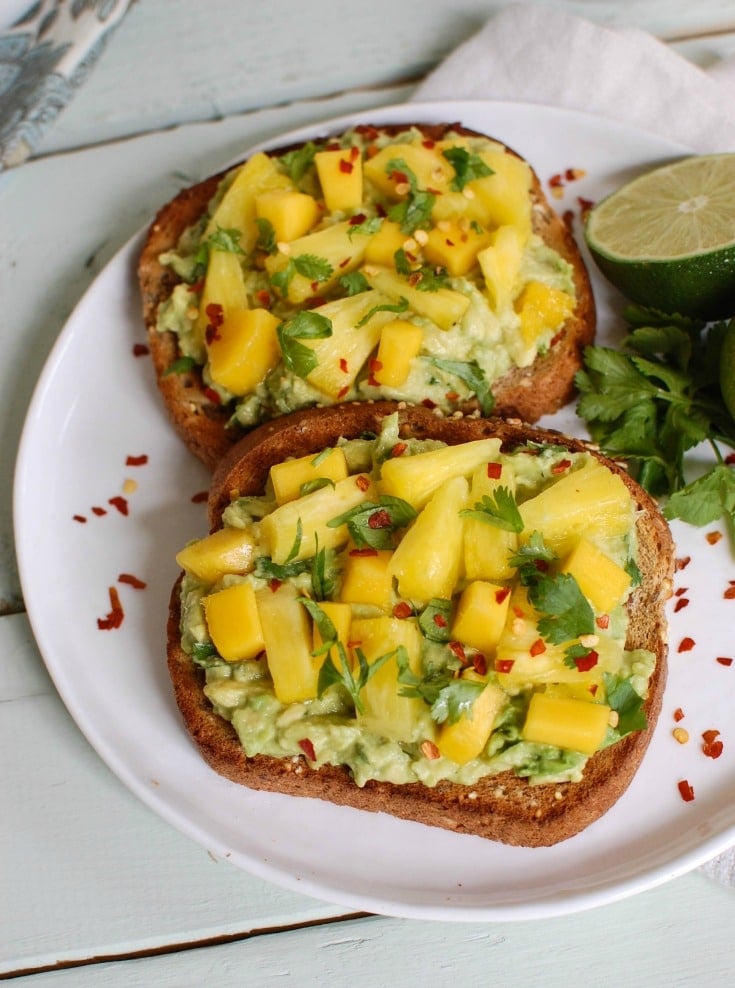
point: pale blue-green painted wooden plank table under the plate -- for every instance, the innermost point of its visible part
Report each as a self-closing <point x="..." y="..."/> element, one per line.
<point x="95" y="889"/>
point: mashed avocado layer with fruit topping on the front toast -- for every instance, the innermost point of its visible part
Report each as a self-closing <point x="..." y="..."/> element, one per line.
<point x="334" y="624"/>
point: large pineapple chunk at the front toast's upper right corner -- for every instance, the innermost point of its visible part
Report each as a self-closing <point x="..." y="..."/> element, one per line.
<point x="588" y="499"/>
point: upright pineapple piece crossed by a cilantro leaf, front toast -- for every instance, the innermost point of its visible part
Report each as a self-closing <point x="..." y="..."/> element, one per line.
<point x="487" y="549"/>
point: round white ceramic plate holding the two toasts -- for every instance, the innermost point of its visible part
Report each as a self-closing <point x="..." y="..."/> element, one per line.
<point x="96" y="404"/>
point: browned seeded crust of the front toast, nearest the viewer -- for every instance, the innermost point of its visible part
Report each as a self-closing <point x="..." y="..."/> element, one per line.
<point x="502" y="807"/>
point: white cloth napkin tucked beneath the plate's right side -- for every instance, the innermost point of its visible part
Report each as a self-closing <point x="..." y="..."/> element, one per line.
<point x="538" y="54"/>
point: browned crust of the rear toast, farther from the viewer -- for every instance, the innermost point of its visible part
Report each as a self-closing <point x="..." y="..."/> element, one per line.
<point x="526" y="393"/>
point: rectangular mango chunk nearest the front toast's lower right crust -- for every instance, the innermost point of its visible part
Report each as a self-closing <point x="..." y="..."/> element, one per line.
<point x="566" y="723"/>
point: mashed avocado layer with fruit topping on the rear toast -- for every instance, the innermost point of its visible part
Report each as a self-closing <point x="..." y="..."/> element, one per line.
<point x="366" y="267"/>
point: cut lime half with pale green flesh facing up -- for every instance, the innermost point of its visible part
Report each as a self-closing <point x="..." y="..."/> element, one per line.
<point x="667" y="238"/>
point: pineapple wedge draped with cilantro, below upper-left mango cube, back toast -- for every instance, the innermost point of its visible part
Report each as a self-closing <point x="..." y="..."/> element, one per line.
<point x="341" y="246"/>
